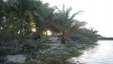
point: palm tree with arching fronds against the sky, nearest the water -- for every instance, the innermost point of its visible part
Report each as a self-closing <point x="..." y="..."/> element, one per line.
<point x="64" y="22"/>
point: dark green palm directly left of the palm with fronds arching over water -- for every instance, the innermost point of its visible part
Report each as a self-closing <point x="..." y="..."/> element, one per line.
<point x="44" y="16"/>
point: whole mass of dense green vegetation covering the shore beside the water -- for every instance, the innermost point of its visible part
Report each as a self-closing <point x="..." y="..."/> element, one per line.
<point x="23" y="30"/>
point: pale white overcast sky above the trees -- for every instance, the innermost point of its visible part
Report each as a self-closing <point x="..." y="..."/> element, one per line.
<point x="97" y="13"/>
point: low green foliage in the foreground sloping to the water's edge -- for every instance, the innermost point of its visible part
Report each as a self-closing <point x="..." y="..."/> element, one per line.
<point x="55" y="55"/>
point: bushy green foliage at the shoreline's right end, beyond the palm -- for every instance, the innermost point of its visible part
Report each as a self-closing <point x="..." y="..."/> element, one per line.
<point x="85" y="36"/>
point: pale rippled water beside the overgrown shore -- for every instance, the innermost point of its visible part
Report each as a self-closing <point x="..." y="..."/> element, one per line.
<point x="100" y="54"/>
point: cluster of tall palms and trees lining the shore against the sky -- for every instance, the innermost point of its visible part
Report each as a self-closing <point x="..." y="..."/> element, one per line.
<point x="24" y="18"/>
